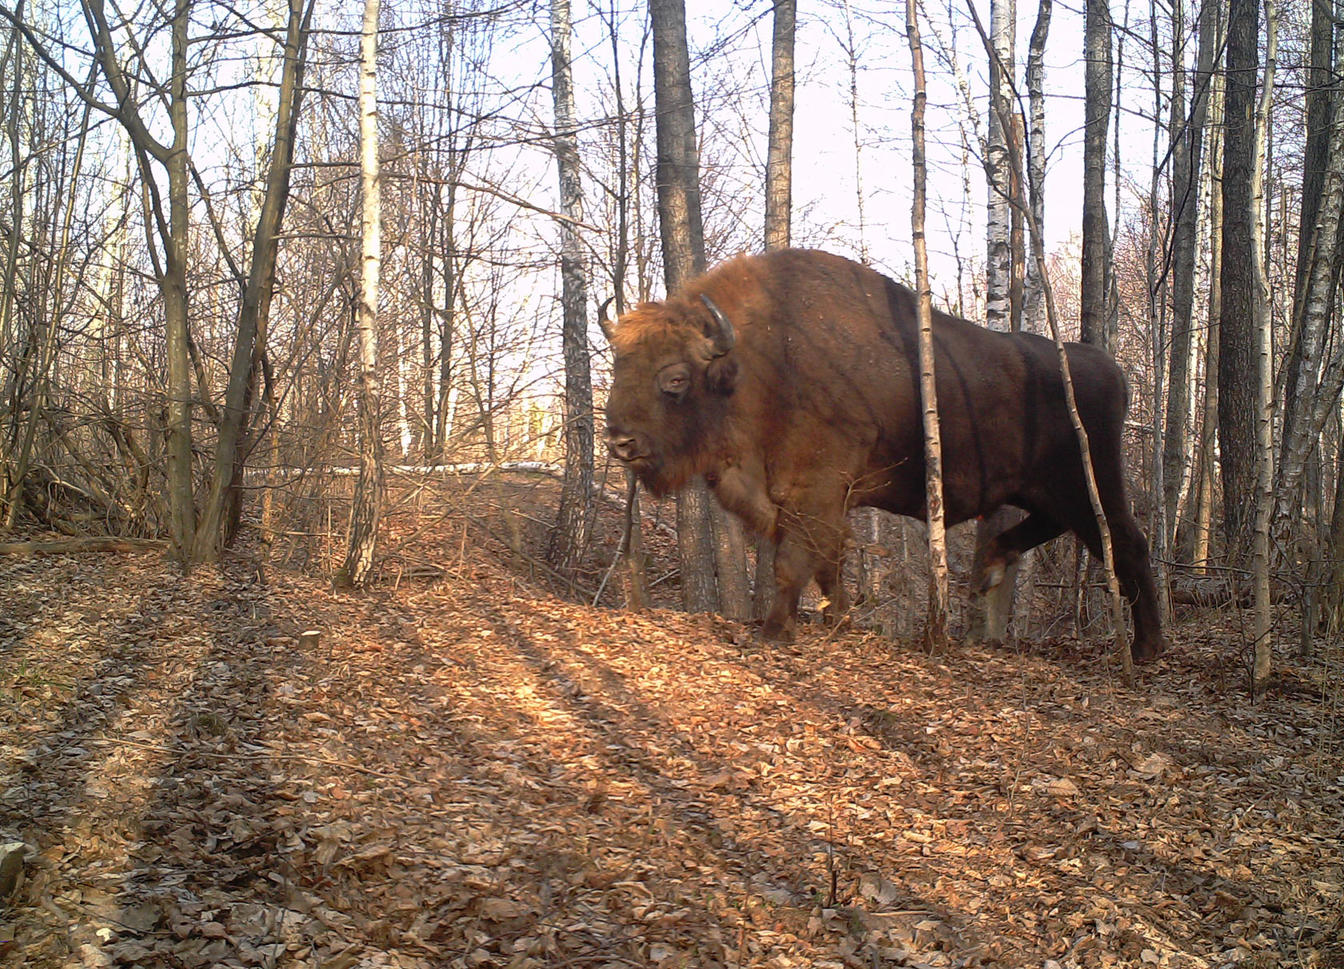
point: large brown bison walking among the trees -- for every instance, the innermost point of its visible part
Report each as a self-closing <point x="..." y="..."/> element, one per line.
<point x="791" y="381"/>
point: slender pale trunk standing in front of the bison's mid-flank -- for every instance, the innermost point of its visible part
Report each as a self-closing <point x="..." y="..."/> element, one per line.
<point x="936" y="630"/>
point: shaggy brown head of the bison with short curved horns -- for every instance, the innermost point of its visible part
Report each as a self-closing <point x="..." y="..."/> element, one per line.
<point x="671" y="382"/>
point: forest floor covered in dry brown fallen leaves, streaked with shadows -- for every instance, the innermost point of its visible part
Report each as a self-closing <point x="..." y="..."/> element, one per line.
<point x="466" y="771"/>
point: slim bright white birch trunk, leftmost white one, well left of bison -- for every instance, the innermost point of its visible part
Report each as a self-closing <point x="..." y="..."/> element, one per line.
<point x="368" y="506"/>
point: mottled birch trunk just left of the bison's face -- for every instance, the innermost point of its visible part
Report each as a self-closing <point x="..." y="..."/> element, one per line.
<point x="571" y="536"/>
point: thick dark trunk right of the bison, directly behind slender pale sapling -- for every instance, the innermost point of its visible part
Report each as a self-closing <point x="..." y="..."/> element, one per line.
<point x="1238" y="407"/>
